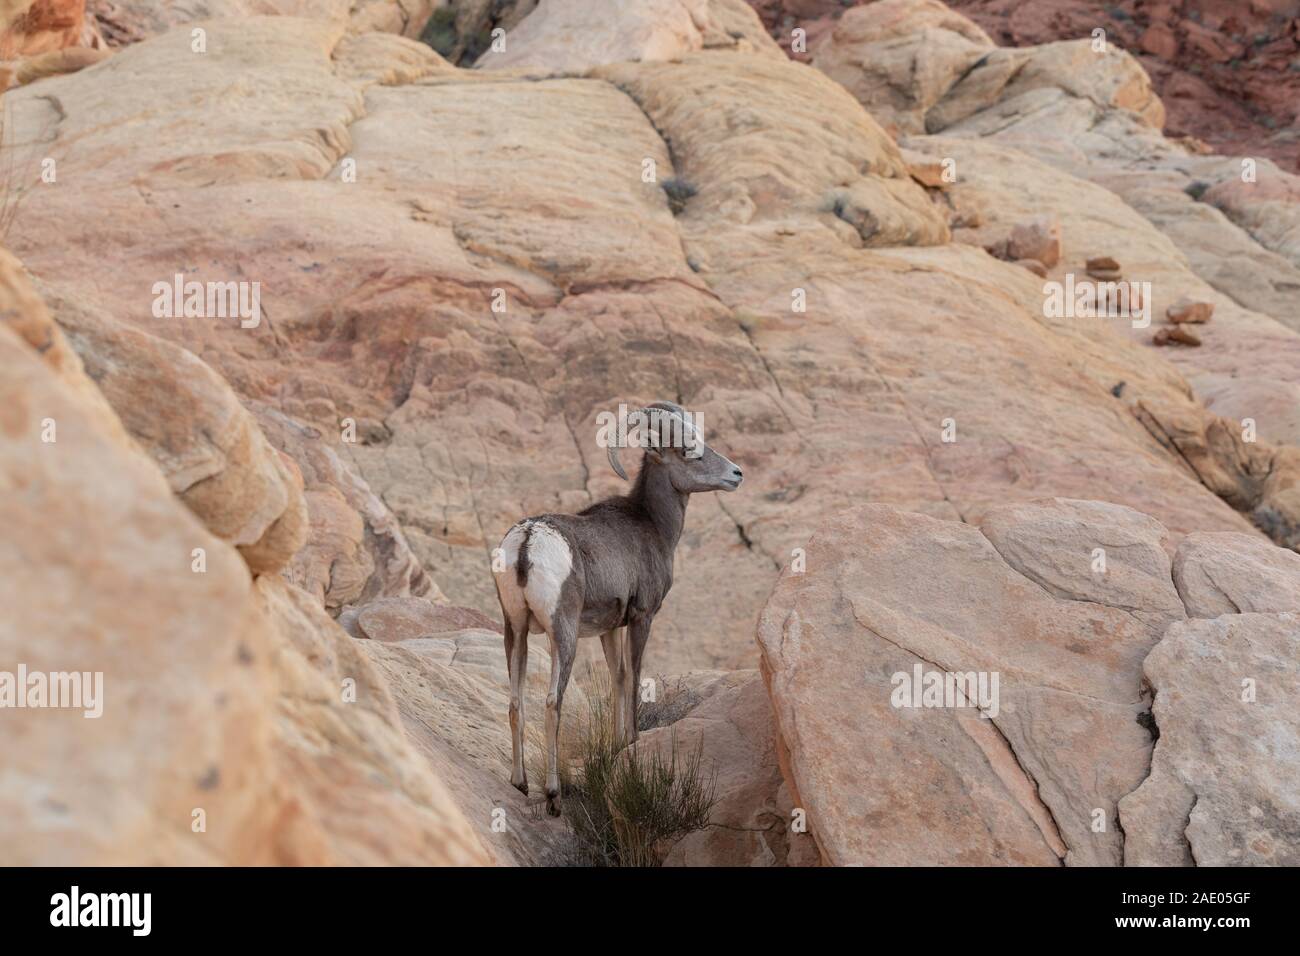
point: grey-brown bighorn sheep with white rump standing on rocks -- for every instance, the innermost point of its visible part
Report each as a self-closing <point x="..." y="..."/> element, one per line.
<point x="603" y="572"/>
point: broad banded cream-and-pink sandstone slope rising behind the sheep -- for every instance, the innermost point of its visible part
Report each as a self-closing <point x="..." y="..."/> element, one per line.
<point x="488" y="416"/>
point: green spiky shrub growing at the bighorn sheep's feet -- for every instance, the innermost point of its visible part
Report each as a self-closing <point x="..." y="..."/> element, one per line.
<point x="627" y="806"/>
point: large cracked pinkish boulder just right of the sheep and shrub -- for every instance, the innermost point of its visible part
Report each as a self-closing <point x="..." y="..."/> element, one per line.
<point x="889" y="592"/>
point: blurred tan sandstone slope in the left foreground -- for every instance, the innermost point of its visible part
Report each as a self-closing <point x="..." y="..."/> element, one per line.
<point x="237" y="724"/>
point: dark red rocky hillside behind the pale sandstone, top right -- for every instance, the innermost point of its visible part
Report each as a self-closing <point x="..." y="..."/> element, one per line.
<point x="1228" y="71"/>
